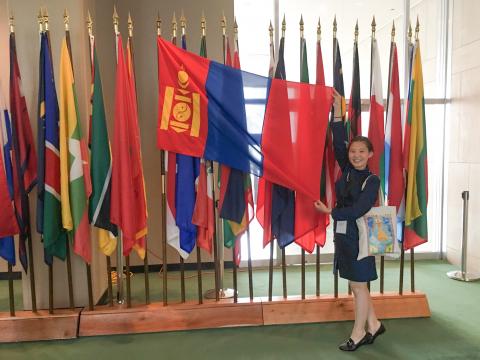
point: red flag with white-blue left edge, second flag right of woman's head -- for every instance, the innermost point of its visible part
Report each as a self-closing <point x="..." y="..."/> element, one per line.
<point x="394" y="181"/>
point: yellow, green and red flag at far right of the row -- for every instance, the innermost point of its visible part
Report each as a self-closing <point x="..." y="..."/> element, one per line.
<point x="415" y="150"/>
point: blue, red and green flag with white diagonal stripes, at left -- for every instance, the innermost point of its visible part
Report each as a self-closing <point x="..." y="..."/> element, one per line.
<point x="49" y="210"/>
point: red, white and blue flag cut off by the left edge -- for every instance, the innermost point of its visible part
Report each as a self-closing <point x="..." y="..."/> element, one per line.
<point x="8" y="221"/>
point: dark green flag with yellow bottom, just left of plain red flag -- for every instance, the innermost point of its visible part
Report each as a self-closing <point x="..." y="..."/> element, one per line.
<point x="101" y="164"/>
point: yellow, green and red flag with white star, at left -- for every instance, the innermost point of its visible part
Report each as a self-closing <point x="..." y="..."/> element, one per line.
<point x="74" y="169"/>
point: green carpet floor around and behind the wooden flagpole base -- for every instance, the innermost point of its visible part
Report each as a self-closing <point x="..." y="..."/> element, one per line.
<point x="453" y="331"/>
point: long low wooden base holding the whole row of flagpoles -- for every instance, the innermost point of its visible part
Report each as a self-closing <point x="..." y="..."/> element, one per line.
<point x="105" y="320"/>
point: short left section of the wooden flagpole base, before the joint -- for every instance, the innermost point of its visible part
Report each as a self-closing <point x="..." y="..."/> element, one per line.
<point x="29" y="326"/>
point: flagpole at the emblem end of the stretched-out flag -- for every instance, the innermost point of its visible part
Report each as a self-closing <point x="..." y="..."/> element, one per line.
<point x="164" y="201"/>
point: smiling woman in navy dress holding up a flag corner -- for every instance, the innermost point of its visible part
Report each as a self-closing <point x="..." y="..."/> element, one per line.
<point x="356" y="192"/>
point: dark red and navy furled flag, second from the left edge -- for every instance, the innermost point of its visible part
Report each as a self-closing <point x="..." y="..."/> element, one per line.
<point x="24" y="155"/>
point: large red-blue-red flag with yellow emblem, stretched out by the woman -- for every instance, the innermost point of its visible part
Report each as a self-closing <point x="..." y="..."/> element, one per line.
<point x="249" y="122"/>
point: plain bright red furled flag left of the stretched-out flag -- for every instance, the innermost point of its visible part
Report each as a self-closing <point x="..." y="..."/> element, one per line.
<point x="128" y="207"/>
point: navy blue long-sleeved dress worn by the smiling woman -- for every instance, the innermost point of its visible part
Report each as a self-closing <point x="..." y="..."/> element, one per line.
<point x="352" y="203"/>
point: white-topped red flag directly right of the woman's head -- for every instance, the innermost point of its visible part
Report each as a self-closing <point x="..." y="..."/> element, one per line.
<point x="376" y="126"/>
